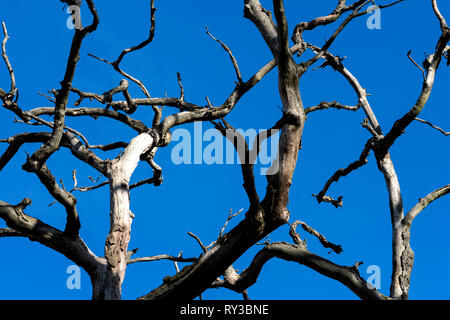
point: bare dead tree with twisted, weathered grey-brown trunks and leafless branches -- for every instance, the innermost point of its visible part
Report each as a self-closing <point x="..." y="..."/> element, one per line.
<point x="213" y="268"/>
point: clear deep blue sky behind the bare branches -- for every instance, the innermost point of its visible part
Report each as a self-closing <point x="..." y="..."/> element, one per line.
<point x="197" y="198"/>
